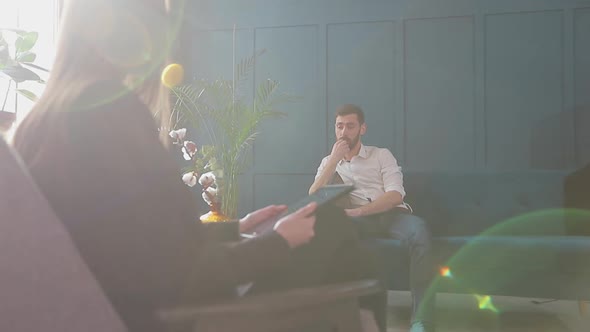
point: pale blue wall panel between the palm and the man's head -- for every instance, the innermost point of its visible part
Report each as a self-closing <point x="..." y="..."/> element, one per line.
<point x="295" y="143"/>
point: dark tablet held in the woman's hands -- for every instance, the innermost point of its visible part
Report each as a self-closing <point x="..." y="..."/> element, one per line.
<point x="324" y="195"/>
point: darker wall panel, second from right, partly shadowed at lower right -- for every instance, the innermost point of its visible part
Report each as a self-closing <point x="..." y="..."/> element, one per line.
<point x="524" y="84"/>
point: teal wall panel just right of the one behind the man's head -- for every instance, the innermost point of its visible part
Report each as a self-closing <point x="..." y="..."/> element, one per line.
<point x="440" y="94"/>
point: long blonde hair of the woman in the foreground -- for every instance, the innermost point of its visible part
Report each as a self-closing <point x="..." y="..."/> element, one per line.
<point x="124" y="40"/>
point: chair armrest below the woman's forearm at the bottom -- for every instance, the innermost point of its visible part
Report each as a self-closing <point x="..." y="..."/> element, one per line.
<point x="275" y="302"/>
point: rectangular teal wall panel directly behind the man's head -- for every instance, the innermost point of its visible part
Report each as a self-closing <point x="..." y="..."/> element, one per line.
<point x="361" y="71"/>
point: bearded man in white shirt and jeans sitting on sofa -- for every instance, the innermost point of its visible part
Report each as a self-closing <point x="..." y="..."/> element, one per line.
<point x="377" y="203"/>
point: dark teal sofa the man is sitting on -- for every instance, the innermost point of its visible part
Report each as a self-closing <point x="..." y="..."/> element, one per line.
<point x="498" y="234"/>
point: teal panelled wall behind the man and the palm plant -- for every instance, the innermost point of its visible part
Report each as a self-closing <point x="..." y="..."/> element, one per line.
<point x="446" y="84"/>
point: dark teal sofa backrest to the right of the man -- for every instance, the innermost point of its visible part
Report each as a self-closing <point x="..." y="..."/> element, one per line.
<point x="470" y="203"/>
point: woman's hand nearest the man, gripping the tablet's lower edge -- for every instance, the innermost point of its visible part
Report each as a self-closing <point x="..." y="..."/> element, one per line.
<point x="298" y="227"/>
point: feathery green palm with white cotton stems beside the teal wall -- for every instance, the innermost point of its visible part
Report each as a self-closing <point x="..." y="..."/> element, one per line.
<point x="229" y="124"/>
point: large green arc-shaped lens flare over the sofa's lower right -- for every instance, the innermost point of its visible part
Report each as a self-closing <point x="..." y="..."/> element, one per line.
<point x="506" y="254"/>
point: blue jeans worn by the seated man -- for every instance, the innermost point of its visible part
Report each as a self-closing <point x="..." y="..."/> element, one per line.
<point x="414" y="234"/>
